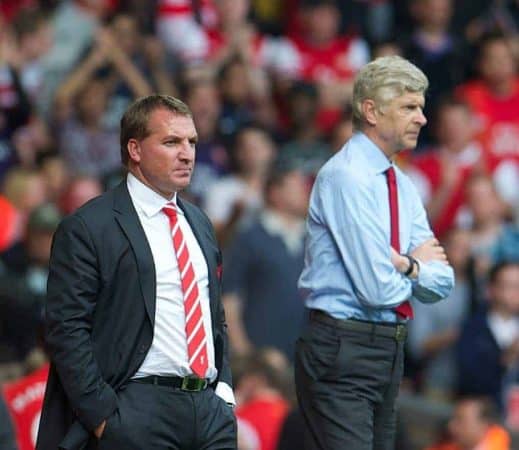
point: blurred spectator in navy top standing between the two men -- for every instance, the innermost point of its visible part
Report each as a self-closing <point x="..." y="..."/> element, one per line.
<point x="261" y="268"/>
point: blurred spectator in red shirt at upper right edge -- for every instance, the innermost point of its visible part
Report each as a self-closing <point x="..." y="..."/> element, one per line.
<point x="494" y="97"/>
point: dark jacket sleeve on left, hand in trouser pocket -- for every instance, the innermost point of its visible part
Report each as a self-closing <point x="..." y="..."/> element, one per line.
<point x="72" y="290"/>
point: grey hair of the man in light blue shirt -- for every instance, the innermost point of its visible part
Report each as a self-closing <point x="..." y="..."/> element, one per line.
<point x="384" y="79"/>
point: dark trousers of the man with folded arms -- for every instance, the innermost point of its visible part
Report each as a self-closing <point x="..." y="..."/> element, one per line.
<point x="347" y="381"/>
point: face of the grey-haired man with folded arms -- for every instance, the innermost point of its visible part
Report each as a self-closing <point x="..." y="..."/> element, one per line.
<point x="397" y="124"/>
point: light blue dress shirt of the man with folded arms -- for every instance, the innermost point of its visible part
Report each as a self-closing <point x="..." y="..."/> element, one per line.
<point x="348" y="271"/>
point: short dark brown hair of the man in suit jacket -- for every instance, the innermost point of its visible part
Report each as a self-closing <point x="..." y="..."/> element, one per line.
<point x="134" y="123"/>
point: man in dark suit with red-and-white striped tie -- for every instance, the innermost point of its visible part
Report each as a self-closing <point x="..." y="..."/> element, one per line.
<point x="135" y="326"/>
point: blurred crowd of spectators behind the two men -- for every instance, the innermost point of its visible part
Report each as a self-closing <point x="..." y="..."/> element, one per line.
<point x="269" y="83"/>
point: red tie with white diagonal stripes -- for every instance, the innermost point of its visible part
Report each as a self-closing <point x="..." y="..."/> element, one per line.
<point x="195" y="332"/>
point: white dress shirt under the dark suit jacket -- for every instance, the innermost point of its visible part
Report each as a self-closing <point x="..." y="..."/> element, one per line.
<point x="167" y="355"/>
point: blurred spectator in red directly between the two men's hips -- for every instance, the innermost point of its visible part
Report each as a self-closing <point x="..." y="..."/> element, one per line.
<point x="262" y="407"/>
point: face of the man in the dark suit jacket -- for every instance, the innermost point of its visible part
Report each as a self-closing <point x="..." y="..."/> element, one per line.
<point x="165" y="159"/>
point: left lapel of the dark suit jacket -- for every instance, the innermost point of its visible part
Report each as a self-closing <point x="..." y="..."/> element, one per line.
<point x="128" y="219"/>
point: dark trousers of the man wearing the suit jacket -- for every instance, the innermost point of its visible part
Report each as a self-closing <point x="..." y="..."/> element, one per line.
<point x="151" y="417"/>
